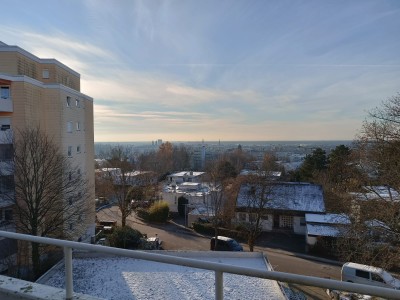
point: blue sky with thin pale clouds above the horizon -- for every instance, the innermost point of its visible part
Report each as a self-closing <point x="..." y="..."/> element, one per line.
<point x="189" y="70"/>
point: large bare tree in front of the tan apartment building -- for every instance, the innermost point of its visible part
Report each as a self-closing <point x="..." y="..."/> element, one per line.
<point x="50" y="194"/>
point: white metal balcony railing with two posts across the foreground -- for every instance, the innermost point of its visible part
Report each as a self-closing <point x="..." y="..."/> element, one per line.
<point x="201" y="264"/>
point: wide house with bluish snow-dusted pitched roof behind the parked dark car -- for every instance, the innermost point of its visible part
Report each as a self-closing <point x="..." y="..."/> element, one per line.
<point x="286" y="205"/>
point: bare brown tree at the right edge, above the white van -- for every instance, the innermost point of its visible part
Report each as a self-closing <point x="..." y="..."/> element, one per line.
<point x="377" y="199"/>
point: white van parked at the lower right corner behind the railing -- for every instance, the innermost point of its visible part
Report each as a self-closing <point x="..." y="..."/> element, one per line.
<point x="364" y="274"/>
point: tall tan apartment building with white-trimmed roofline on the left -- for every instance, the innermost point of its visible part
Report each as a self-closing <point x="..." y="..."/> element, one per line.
<point x="45" y="93"/>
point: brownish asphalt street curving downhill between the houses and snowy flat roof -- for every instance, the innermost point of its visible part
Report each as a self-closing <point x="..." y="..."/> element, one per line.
<point x="176" y="237"/>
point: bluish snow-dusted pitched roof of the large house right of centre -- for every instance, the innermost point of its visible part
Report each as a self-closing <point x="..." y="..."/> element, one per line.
<point x="293" y="196"/>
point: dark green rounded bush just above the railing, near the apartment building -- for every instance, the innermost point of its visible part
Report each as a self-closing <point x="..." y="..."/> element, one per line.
<point x="125" y="237"/>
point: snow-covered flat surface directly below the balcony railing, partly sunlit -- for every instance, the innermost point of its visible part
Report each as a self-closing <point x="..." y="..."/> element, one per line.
<point x="127" y="278"/>
